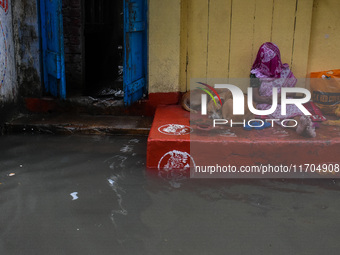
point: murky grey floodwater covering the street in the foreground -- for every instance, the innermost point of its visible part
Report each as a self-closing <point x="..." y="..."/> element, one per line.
<point x="92" y="195"/>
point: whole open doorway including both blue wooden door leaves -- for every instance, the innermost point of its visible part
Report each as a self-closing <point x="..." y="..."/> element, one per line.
<point x="100" y="46"/>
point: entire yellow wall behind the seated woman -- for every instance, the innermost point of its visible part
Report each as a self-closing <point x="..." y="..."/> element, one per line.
<point x="220" y="38"/>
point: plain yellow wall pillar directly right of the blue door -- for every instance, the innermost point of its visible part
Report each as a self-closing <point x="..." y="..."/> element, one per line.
<point x="164" y="45"/>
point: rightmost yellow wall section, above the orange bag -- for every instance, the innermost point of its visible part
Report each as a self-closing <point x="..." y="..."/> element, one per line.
<point x="324" y="51"/>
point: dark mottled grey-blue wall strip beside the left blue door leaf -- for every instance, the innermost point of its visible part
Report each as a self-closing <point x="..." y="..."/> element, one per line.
<point x="27" y="47"/>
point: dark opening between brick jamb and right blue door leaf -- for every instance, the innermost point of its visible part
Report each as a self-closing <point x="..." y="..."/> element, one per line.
<point x="104" y="41"/>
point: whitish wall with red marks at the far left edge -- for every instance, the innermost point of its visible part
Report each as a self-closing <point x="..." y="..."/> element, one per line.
<point x="8" y="79"/>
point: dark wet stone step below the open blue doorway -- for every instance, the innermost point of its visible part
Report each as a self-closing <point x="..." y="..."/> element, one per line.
<point x="71" y="123"/>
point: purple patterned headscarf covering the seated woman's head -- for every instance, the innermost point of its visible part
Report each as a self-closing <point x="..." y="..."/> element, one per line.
<point x="268" y="62"/>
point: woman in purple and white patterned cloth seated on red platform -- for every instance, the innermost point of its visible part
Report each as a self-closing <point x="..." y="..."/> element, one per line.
<point x="268" y="72"/>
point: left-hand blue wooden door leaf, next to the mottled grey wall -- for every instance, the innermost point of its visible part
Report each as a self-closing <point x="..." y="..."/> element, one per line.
<point x="53" y="47"/>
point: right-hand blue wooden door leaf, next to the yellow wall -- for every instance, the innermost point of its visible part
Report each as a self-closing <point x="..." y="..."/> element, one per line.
<point x="135" y="50"/>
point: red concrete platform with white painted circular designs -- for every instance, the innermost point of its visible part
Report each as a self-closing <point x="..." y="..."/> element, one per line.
<point x="174" y="144"/>
